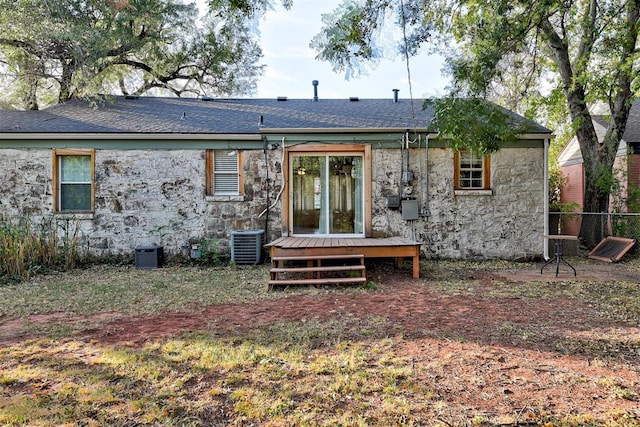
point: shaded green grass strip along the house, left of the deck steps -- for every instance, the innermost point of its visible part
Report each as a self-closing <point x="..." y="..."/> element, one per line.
<point x="124" y="289"/>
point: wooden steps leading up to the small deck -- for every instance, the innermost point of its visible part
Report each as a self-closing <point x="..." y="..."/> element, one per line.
<point x="314" y="272"/>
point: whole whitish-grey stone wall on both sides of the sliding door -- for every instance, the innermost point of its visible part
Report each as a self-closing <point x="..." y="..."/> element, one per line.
<point x="145" y="197"/>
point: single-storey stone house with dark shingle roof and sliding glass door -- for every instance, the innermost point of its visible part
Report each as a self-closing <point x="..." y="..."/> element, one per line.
<point x="136" y="171"/>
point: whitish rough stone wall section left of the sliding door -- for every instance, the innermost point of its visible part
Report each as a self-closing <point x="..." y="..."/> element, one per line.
<point x="142" y="198"/>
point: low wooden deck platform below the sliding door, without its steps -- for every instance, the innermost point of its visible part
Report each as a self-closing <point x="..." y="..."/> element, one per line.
<point x="389" y="247"/>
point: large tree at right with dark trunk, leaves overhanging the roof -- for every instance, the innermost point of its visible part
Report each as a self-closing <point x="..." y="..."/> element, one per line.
<point x="566" y="55"/>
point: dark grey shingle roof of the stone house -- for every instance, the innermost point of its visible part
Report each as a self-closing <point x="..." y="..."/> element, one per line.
<point x="223" y="116"/>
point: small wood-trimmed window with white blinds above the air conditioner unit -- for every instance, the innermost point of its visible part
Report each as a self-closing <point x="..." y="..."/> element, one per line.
<point x="223" y="173"/>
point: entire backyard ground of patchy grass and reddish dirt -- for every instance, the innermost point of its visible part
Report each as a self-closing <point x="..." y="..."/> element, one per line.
<point x="468" y="344"/>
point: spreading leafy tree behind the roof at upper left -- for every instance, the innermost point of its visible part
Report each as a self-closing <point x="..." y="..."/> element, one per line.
<point x="52" y="51"/>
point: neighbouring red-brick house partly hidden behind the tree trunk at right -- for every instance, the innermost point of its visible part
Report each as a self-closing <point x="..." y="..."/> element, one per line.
<point x="626" y="167"/>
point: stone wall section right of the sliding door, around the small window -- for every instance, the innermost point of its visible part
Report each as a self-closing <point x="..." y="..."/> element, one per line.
<point x="508" y="223"/>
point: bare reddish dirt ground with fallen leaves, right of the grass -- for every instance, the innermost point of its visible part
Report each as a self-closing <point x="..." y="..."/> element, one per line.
<point x="485" y="354"/>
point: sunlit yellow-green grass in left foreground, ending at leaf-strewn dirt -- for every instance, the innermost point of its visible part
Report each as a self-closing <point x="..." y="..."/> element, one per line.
<point x="204" y="381"/>
